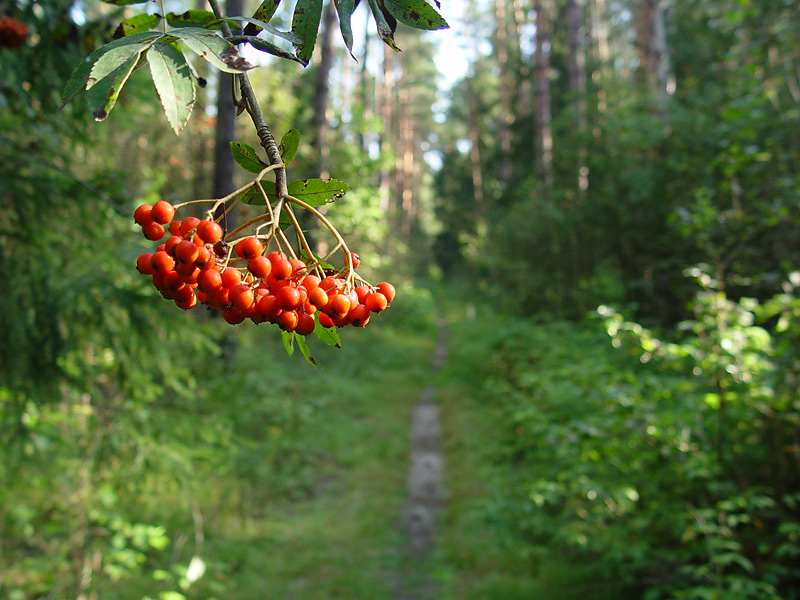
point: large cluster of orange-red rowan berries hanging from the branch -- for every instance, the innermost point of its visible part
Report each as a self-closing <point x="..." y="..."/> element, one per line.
<point x="241" y="278"/>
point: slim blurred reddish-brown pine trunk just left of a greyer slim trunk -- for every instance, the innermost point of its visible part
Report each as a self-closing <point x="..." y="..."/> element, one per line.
<point x="543" y="135"/>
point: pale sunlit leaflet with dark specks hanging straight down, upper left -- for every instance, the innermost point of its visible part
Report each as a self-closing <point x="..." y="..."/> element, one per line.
<point x="174" y="83"/>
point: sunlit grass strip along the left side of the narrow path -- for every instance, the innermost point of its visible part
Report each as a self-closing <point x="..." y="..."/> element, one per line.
<point x="338" y="535"/>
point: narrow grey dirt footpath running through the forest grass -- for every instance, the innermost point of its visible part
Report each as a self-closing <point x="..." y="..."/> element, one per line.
<point x="425" y="489"/>
